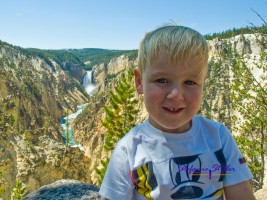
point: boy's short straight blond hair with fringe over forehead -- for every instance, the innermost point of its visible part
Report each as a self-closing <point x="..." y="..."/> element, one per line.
<point x="178" y="42"/>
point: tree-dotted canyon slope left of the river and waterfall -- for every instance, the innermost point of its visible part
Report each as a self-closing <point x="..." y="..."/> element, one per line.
<point x="35" y="92"/>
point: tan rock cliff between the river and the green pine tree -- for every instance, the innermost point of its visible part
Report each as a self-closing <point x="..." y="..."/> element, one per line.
<point x="88" y="125"/>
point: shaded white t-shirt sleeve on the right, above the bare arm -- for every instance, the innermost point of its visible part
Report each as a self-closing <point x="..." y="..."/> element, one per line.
<point x="237" y="169"/>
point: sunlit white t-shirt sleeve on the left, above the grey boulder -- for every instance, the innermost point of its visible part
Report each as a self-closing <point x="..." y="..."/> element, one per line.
<point x="117" y="183"/>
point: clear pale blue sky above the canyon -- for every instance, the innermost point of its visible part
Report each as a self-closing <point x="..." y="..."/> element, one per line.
<point x="115" y="24"/>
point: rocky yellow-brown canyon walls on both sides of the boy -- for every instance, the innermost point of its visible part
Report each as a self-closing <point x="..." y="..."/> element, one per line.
<point x="35" y="93"/>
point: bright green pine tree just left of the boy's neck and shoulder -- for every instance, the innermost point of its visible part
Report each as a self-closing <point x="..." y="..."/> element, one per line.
<point x="120" y="116"/>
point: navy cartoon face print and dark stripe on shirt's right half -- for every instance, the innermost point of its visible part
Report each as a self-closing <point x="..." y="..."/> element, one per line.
<point x="182" y="173"/>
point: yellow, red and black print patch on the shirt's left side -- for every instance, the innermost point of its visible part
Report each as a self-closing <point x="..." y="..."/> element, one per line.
<point x="144" y="179"/>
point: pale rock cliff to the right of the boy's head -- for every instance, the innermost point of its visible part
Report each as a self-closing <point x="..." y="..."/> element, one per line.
<point x="251" y="47"/>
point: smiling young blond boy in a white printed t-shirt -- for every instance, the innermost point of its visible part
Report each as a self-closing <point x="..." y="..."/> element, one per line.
<point x="175" y="154"/>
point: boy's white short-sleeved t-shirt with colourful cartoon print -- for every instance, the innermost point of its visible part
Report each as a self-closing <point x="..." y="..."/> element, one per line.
<point x="150" y="164"/>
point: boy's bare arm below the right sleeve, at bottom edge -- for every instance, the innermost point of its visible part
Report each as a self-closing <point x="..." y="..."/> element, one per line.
<point x="239" y="191"/>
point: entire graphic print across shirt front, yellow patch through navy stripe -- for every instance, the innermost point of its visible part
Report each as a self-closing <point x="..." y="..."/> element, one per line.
<point x="186" y="180"/>
